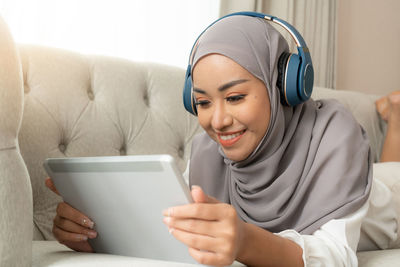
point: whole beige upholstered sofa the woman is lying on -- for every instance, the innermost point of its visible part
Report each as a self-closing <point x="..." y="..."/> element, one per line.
<point x="57" y="103"/>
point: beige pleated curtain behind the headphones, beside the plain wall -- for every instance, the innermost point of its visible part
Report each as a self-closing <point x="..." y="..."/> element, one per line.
<point x="314" y="19"/>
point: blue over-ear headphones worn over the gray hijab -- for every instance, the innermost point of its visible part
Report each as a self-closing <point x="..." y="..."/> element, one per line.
<point x="295" y="71"/>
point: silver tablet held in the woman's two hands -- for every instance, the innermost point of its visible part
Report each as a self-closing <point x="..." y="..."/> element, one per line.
<point x="125" y="197"/>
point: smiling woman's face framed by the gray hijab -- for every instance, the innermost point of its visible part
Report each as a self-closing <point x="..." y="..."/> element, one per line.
<point x="233" y="106"/>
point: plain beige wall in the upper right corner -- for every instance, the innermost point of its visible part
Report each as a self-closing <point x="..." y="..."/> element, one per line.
<point x="368" y="46"/>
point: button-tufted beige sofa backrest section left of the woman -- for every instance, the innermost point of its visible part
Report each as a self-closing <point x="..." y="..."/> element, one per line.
<point x="79" y="105"/>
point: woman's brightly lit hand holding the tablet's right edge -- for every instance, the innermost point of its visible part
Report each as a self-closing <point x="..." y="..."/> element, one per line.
<point x="211" y="229"/>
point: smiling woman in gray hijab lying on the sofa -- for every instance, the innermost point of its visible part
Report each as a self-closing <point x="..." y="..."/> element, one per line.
<point x="272" y="184"/>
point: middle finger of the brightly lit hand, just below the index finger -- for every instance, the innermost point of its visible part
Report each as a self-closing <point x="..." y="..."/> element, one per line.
<point x="192" y="225"/>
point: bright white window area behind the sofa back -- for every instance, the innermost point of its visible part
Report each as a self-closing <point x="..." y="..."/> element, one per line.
<point x="157" y="31"/>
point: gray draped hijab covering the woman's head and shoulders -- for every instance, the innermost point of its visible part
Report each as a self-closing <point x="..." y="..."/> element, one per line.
<point x="312" y="165"/>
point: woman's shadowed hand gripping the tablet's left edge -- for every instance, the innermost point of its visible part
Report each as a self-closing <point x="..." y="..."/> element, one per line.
<point x="71" y="227"/>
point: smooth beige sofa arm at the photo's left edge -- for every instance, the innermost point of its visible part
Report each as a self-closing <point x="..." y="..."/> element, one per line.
<point x="15" y="189"/>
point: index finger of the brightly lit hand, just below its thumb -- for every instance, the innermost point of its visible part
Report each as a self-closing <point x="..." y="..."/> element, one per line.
<point x="202" y="211"/>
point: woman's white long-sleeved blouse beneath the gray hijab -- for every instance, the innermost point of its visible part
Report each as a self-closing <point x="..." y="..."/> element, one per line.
<point x="373" y="226"/>
